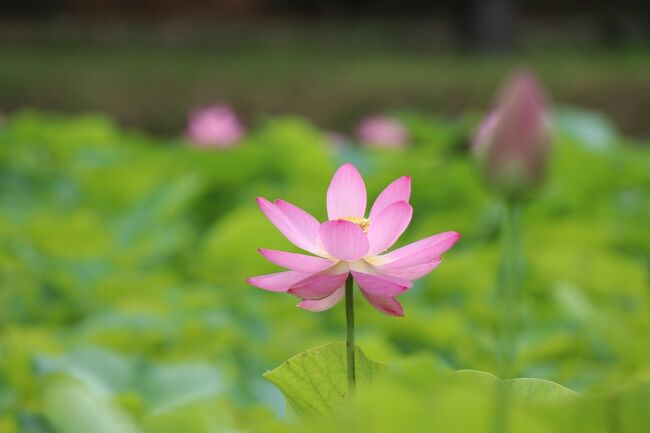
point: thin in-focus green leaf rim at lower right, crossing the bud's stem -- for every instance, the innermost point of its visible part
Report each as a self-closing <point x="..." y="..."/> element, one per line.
<point x="537" y="391"/>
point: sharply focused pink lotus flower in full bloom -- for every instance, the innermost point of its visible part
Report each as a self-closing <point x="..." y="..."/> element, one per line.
<point x="350" y="243"/>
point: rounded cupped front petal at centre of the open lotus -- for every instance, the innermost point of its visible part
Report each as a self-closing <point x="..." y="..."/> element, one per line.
<point x="343" y="240"/>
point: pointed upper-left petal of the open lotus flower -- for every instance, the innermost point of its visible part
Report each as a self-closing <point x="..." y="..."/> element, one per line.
<point x="294" y="223"/>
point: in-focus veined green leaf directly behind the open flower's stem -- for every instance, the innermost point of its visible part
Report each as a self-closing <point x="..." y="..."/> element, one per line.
<point x="314" y="382"/>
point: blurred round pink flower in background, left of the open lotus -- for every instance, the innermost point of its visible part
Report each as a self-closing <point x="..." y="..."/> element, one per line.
<point x="217" y="126"/>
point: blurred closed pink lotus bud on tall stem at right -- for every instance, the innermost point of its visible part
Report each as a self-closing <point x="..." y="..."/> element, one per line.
<point x="513" y="141"/>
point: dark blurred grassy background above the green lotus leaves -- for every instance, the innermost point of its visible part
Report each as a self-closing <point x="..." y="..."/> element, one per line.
<point x="147" y="62"/>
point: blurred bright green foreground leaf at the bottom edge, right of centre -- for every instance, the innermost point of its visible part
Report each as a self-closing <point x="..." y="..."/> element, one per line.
<point x="419" y="394"/>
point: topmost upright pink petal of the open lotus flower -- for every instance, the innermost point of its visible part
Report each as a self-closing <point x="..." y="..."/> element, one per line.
<point x="346" y="195"/>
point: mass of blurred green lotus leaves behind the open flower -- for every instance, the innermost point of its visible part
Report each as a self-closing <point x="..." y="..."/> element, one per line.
<point x="123" y="306"/>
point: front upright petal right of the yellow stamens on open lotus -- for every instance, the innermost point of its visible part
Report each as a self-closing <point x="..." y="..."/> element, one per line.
<point x="388" y="227"/>
